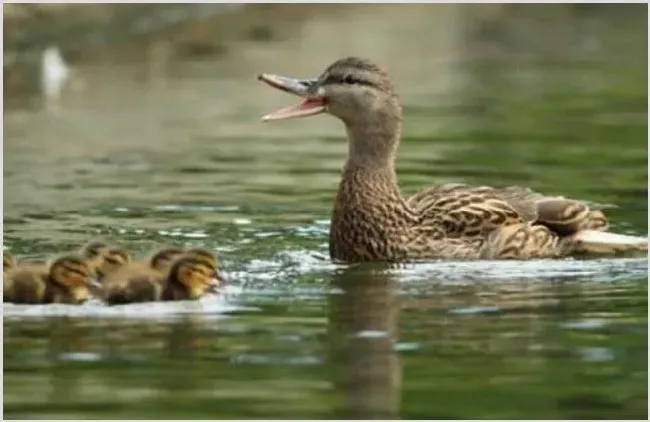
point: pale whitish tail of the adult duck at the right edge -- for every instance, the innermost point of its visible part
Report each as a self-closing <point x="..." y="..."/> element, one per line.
<point x="595" y="242"/>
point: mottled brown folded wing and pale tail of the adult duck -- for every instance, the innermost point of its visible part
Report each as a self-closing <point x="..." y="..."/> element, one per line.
<point x="517" y="222"/>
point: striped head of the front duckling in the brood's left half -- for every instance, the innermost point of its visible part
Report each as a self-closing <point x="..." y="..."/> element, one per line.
<point x="74" y="275"/>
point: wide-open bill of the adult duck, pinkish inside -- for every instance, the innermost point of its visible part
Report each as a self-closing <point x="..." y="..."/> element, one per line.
<point x="312" y="103"/>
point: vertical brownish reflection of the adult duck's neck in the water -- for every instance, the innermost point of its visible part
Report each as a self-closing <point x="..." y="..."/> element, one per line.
<point x="362" y="327"/>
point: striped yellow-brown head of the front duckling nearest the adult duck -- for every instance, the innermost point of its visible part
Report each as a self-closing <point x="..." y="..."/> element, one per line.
<point x="195" y="277"/>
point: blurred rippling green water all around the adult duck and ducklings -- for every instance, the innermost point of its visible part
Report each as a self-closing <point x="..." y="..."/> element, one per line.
<point x="140" y="124"/>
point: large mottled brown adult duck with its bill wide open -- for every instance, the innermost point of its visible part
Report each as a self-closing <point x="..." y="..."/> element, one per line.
<point x="372" y="221"/>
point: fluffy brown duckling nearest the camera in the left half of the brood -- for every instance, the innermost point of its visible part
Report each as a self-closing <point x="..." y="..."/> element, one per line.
<point x="67" y="279"/>
